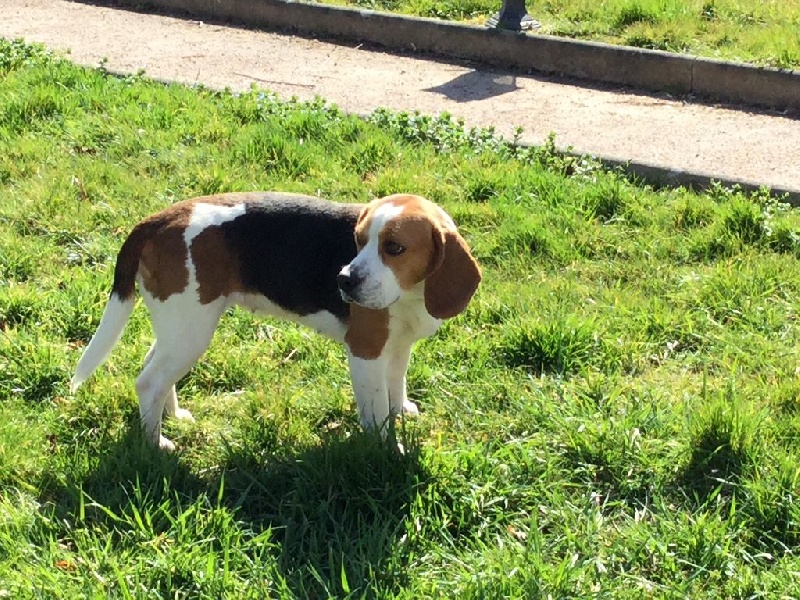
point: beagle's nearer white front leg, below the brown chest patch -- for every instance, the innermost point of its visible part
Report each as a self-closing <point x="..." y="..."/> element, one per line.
<point x="371" y="391"/>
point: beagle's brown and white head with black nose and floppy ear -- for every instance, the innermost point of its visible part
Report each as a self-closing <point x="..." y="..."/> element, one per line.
<point x="406" y="243"/>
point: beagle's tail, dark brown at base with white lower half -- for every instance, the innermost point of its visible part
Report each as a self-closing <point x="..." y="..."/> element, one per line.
<point x="118" y="308"/>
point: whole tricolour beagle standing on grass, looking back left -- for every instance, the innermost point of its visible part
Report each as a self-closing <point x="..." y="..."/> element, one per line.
<point x="376" y="276"/>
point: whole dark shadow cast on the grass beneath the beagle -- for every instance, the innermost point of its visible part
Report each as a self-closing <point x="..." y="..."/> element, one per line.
<point x="338" y="507"/>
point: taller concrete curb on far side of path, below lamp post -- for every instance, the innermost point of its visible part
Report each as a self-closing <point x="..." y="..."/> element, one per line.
<point x="648" y="70"/>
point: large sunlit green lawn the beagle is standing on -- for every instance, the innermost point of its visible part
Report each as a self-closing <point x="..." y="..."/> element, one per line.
<point x="616" y="414"/>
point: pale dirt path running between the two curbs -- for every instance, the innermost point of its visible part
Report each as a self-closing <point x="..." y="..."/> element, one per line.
<point x="729" y="144"/>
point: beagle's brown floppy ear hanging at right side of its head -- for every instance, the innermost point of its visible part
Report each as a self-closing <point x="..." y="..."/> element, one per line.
<point x="455" y="275"/>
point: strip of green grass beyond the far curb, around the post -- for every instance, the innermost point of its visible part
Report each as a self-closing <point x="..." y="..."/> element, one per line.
<point x="763" y="33"/>
